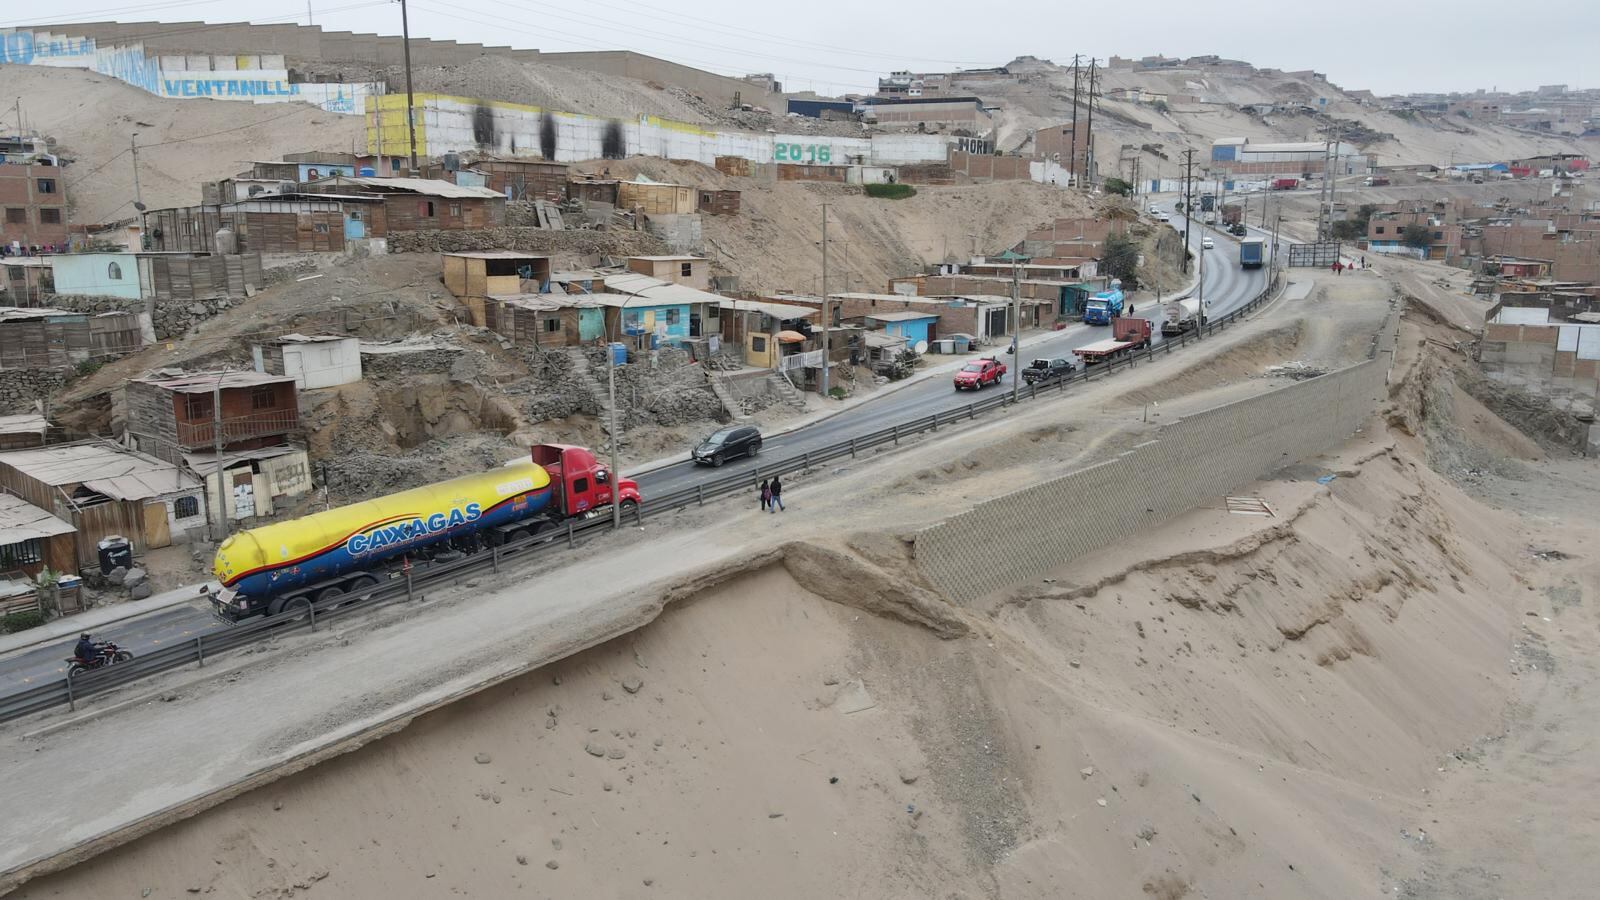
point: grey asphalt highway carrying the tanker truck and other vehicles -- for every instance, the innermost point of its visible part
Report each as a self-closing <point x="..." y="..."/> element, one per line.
<point x="1226" y="289"/>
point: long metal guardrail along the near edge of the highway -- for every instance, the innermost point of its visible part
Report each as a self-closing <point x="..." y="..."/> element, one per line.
<point x="202" y="648"/>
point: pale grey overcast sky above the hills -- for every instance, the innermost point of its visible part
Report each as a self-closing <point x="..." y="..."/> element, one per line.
<point x="841" y="46"/>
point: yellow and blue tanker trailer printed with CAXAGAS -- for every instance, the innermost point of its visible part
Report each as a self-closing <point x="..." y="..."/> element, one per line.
<point x="353" y="548"/>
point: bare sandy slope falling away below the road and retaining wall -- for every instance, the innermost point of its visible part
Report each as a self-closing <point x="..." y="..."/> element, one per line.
<point x="1327" y="704"/>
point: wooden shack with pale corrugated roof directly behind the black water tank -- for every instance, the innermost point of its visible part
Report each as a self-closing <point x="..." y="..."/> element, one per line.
<point x="102" y="491"/>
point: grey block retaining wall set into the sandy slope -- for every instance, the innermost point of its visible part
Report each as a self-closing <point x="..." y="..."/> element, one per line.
<point x="1194" y="462"/>
